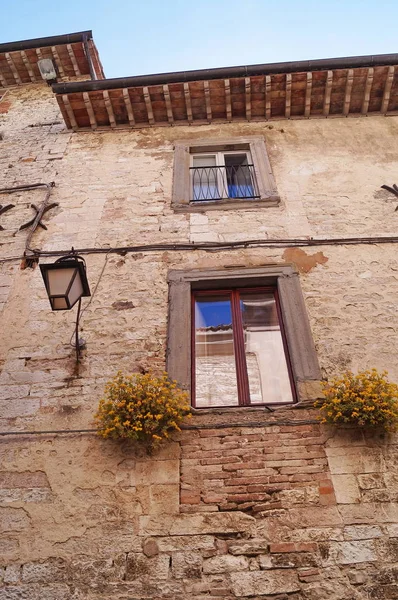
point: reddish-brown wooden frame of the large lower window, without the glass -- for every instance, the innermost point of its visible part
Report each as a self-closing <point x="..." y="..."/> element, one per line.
<point x="239" y="345"/>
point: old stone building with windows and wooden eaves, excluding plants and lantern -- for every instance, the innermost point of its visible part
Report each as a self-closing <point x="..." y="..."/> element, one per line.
<point x="236" y="233"/>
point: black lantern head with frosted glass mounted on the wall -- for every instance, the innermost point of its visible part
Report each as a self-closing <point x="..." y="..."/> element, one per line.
<point x="66" y="282"/>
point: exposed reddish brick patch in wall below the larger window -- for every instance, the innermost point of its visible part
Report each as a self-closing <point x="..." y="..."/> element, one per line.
<point x="255" y="471"/>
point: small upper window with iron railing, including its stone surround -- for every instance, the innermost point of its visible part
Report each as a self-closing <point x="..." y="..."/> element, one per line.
<point x="222" y="174"/>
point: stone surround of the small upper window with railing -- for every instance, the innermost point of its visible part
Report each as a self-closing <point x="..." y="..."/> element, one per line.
<point x="262" y="168"/>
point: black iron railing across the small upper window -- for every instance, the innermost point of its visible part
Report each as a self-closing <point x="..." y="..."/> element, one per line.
<point x="217" y="183"/>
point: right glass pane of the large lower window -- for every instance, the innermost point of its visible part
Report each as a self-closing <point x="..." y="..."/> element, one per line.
<point x="265" y="356"/>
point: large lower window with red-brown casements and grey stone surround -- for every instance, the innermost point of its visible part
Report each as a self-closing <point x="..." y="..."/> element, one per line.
<point x="240" y="337"/>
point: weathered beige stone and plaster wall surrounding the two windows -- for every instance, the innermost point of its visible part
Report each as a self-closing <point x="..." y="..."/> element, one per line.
<point x="83" y="518"/>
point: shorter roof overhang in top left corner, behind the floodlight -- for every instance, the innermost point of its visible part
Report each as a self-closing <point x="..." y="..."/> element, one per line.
<point x="74" y="54"/>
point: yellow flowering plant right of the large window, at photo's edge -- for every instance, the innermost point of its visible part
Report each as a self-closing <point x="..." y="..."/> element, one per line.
<point x="366" y="399"/>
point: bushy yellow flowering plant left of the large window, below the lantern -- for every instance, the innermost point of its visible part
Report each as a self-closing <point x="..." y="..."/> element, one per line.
<point x="139" y="407"/>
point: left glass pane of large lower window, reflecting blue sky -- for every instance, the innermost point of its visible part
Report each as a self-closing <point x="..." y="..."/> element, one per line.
<point x="215" y="371"/>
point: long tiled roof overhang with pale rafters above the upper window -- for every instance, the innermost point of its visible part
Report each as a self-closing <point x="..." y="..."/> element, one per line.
<point x="340" y="87"/>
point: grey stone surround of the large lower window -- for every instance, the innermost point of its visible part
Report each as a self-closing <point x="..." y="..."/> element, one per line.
<point x="301" y="347"/>
